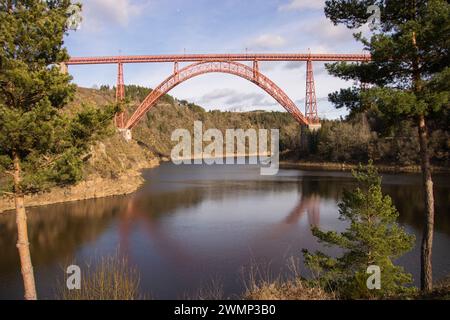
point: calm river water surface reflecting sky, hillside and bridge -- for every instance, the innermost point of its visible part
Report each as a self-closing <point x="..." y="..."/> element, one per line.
<point x="189" y="226"/>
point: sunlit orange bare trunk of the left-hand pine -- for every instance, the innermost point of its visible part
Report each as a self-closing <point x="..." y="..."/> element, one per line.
<point x="22" y="243"/>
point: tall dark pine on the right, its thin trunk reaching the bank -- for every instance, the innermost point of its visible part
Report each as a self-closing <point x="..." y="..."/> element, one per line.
<point x="408" y="77"/>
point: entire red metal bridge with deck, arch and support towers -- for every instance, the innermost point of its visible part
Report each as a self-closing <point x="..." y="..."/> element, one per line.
<point x="227" y="63"/>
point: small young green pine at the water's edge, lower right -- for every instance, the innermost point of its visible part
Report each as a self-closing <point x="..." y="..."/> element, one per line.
<point x="372" y="238"/>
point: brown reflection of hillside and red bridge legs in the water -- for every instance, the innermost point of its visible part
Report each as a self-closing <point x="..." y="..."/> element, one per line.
<point x="57" y="231"/>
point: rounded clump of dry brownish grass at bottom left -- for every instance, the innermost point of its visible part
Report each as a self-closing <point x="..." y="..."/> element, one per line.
<point x="111" y="279"/>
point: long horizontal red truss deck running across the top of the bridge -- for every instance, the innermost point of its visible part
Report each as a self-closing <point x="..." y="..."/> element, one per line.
<point x="327" y="57"/>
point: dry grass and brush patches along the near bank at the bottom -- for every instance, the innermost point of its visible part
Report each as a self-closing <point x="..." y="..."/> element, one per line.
<point x="114" y="278"/>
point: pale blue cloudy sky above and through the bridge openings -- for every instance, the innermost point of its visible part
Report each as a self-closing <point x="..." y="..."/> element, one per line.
<point x="134" y="27"/>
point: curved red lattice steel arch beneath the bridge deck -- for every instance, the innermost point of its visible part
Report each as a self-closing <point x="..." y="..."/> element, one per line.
<point x="230" y="67"/>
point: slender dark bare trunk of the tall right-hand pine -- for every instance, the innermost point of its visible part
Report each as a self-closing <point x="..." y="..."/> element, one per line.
<point x="426" y="279"/>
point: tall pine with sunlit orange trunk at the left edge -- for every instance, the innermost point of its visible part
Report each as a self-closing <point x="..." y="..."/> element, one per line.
<point x="41" y="145"/>
